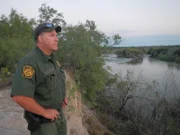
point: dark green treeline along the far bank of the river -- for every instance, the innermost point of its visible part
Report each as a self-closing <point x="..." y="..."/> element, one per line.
<point x="165" y="53"/>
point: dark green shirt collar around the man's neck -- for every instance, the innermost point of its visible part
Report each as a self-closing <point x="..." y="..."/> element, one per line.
<point x="44" y="56"/>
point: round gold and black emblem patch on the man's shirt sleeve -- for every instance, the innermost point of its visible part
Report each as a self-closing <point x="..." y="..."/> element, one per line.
<point x="28" y="71"/>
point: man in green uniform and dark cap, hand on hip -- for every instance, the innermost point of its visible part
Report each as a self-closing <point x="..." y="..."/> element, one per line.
<point x="39" y="83"/>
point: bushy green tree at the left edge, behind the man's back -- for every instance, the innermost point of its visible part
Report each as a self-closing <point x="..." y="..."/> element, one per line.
<point x="15" y="38"/>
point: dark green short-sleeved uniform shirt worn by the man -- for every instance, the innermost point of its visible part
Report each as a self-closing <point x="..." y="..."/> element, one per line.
<point x="41" y="77"/>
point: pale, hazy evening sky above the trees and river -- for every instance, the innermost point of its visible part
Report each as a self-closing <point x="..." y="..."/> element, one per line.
<point x="138" y="22"/>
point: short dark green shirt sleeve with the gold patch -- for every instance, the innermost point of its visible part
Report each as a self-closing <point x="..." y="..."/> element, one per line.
<point x="24" y="80"/>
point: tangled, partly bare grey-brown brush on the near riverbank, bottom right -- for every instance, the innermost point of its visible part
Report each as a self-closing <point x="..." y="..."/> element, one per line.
<point x="126" y="113"/>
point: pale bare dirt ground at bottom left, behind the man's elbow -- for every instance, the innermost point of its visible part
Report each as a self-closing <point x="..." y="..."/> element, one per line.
<point x="11" y="116"/>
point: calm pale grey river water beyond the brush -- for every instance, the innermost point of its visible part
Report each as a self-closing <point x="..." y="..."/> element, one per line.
<point x="164" y="76"/>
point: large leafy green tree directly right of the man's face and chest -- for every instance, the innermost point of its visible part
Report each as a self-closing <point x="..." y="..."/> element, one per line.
<point x="80" y="47"/>
